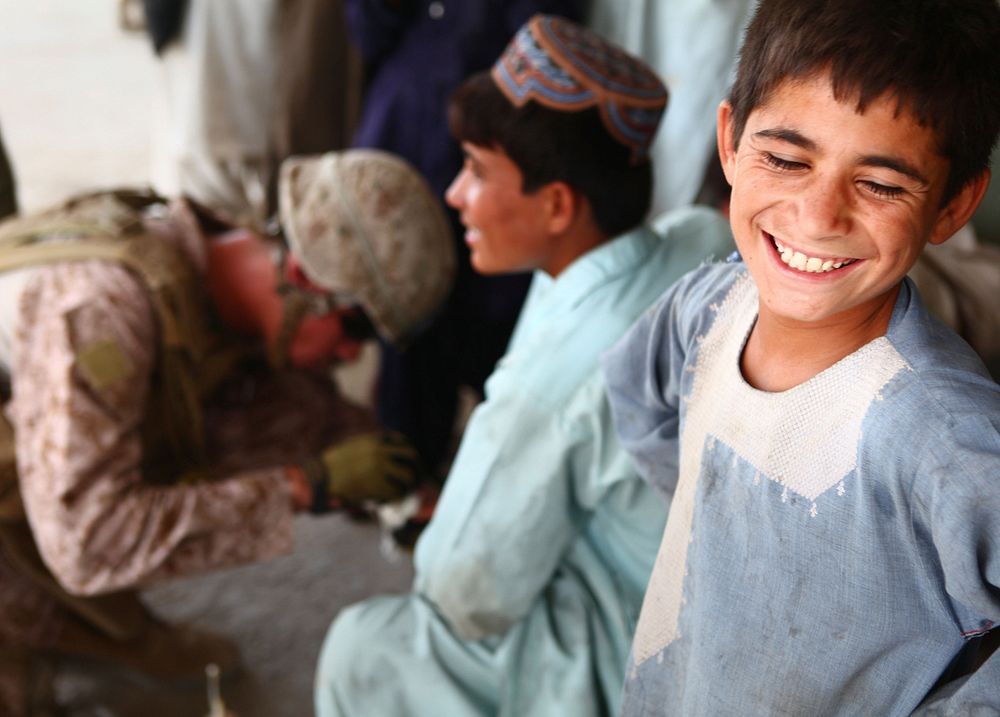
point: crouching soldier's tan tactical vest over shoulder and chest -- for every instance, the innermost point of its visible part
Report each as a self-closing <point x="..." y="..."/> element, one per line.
<point x="109" y="226"/>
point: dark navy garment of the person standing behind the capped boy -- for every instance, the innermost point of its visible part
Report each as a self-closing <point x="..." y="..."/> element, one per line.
<point x="416" y="57"/>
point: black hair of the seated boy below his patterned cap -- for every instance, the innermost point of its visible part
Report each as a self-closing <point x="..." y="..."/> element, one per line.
<point x="552" y="146"/>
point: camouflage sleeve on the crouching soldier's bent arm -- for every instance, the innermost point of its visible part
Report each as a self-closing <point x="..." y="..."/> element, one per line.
<point x="81" y="371"/>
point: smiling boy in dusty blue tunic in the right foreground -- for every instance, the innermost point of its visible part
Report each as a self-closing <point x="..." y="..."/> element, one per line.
<point x="832" y="452"/>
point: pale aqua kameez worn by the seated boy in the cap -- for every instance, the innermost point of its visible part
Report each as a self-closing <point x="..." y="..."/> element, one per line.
<point x="530" y="576"/>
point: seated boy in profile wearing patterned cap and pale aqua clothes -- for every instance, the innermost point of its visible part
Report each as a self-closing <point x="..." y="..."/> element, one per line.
<point x="530" y="575"/>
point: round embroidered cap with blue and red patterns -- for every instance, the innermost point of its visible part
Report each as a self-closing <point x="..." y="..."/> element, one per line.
<point x="569" y="68"/>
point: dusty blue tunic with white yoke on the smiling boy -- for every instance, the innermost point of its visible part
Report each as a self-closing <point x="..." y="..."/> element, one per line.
<point x="830" y="548"/>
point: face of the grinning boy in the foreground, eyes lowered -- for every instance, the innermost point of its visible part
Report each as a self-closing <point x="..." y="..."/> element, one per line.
<point x="831" y="208"/>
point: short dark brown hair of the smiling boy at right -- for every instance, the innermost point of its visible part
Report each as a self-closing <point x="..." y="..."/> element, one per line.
<point x="939" y="58"/>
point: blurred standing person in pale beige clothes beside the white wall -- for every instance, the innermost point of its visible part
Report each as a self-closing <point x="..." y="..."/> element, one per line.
<point x="246" y="84"/>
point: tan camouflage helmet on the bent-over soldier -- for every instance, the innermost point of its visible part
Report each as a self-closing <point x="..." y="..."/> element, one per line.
<point x="366" y="227"/>
